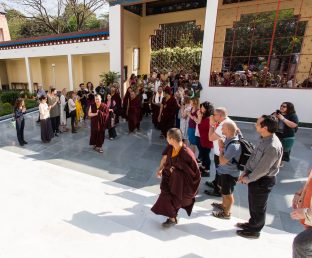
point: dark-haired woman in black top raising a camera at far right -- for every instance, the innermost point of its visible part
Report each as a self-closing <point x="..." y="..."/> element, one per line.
<point x="287" y="127"/>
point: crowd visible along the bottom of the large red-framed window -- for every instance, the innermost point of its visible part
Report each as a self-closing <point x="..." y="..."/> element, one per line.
<point x="261" y="79"/>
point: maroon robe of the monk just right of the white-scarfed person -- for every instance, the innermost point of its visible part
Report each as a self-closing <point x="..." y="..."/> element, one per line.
<point x="169" y="111"/>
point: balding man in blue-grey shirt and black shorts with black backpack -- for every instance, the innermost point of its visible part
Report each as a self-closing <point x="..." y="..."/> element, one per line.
<point x="230" y="152"/>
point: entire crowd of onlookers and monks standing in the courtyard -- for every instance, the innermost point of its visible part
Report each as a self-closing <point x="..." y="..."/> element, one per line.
<point x="192" y="129"/>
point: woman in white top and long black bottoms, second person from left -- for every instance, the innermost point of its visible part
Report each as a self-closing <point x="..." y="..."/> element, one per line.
<point x="45" y="121"/>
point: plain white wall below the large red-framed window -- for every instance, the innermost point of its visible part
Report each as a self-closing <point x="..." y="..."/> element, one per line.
<point x="254" y="102"/>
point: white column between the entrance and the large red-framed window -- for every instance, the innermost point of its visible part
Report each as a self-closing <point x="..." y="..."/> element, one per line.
<point x="208" y="43"/>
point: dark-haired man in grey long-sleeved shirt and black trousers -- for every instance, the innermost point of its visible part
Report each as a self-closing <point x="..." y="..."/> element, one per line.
<point x="260" y="175"/>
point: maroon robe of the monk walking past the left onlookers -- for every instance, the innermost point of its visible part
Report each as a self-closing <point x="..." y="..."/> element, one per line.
<point x="98" y="125"/>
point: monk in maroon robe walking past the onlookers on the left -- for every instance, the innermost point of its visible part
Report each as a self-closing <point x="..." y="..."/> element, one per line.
<point x="99" y="114"/>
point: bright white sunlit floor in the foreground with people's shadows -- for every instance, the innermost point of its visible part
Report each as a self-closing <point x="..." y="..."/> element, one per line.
<point x="49" y="211"/>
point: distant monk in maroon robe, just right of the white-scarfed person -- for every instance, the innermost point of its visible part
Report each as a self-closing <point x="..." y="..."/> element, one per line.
<point x="167" y="113"/>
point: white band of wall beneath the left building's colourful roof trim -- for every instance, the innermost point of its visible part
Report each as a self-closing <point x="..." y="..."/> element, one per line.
<point x="92" y="47"/>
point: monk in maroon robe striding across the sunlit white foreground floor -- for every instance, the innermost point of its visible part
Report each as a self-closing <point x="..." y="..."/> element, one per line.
<point x="180" y="179"/>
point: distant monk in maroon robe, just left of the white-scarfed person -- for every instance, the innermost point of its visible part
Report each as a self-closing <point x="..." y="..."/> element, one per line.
<point x="134" y="112"/>
